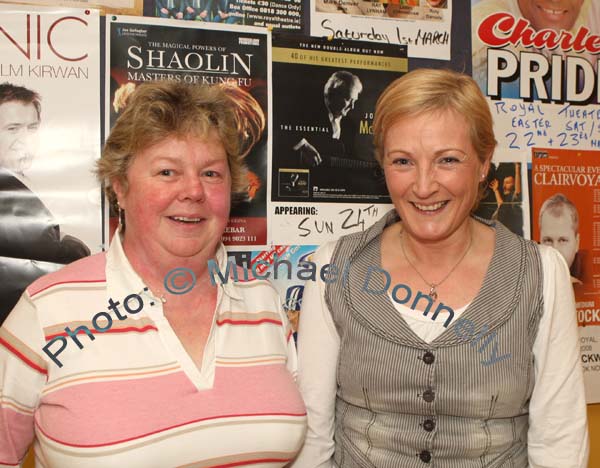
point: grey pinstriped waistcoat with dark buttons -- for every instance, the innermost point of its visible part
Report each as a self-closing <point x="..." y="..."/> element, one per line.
<point x="457" y="402"/>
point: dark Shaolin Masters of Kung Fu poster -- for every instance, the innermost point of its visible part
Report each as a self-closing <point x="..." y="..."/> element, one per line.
<point x="148" y="49"/>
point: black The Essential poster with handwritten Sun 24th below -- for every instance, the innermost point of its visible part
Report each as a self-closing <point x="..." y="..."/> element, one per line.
<point x="323" y="157"/>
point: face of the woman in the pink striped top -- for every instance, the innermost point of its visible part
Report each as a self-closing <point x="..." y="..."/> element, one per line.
<point x="177" y="197"/>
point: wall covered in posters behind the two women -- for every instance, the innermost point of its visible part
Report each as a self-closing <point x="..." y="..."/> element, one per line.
<point x="311" y="184"/>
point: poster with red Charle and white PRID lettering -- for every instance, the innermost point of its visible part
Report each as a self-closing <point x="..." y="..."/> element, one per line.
<point x="539" y="70"/>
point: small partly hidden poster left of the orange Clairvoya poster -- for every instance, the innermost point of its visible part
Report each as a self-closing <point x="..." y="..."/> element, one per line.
<point x="505" y="191"/>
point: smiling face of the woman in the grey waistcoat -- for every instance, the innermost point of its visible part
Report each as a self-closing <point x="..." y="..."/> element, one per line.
<point x="432" y="173"/>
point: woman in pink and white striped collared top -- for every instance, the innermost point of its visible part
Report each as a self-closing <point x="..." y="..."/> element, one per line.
<point x="103" y="364"/>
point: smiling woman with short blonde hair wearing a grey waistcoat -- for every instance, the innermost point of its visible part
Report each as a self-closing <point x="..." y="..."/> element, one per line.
<point x="492" y="378"/>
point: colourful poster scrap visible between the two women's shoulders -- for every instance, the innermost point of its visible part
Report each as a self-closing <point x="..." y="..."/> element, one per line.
<point x="281" y="265"/>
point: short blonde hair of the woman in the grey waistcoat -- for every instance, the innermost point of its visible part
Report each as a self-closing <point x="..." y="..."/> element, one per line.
<point x="427" y="90"/>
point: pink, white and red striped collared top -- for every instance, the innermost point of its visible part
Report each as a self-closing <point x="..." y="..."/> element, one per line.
<point x="133" y="397"/>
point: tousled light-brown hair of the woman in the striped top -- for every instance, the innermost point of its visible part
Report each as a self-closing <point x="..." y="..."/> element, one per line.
<point x="164" y="109"/>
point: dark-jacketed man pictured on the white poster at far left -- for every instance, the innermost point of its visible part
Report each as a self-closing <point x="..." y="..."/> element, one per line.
<point x="31" y="241"/>
